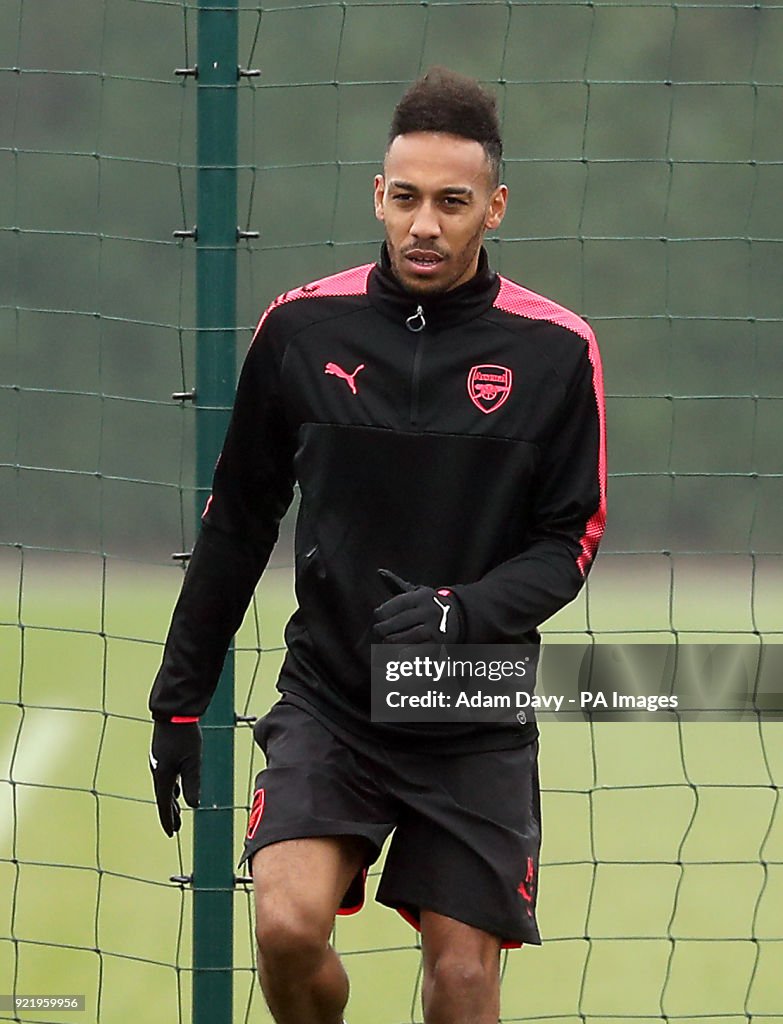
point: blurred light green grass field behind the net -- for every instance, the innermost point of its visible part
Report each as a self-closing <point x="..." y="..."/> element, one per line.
<point x="663" y="881"/>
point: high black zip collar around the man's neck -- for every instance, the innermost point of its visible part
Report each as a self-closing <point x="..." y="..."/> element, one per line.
<point x="439" y="311"/>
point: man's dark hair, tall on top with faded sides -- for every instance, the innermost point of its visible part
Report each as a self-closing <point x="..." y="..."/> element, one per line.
<point x="445" y="102"/>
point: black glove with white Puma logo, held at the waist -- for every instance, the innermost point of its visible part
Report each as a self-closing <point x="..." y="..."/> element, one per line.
<point x="418" y="615"/>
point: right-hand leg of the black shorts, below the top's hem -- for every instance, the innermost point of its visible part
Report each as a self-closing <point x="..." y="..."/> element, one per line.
<point x="468" y="843"/>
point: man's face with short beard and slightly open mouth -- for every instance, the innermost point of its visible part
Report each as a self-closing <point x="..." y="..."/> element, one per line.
<point x="437" y="199"/>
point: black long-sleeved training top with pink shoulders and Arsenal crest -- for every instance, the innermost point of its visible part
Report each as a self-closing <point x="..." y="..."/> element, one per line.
<point x="456" y="440"/>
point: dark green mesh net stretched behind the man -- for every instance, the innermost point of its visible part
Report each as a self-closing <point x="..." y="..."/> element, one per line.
<point x="645" y="163"/>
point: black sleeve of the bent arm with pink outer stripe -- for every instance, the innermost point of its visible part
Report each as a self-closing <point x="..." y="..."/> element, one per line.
<point x="568" y="522"/>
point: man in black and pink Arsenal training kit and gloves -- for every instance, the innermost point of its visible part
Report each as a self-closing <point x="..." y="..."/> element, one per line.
<point x="446" y="428"/>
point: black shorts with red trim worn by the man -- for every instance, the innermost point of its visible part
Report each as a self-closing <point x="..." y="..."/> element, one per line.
<point x="466" y="827"/>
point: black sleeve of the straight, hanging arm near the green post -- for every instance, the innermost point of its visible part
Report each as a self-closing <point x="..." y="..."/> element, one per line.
<point x="252" y="489"/>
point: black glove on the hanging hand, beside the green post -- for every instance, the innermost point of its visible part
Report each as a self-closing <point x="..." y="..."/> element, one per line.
<point x="177" y="752"/>
